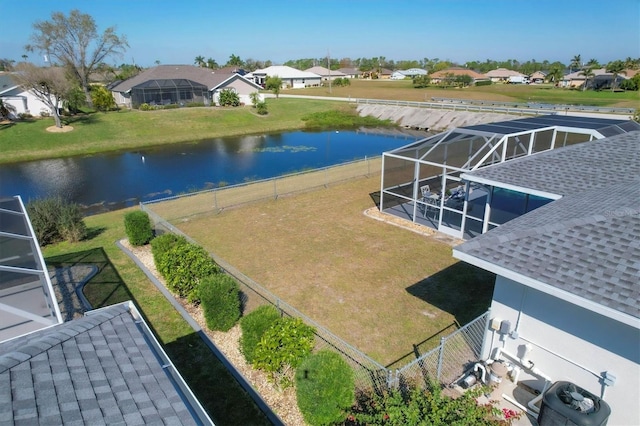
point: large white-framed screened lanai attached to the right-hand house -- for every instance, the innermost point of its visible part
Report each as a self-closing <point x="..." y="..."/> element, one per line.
<point x="421" y="182"/>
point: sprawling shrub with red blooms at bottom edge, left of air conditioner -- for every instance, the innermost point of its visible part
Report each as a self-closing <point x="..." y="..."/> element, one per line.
<point x="415" y="406"/>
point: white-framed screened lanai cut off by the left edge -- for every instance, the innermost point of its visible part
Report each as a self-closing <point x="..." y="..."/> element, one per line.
<point x="27" y="299"/>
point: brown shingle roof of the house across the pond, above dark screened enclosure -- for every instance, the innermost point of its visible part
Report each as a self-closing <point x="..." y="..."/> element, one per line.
<point x="206" y="76"/>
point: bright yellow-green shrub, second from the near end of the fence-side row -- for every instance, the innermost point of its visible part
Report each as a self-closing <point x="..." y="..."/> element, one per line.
<point x="282" y="348"/>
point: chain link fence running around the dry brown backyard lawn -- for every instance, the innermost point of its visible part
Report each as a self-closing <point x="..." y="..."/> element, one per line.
<point x="441" y="364"/>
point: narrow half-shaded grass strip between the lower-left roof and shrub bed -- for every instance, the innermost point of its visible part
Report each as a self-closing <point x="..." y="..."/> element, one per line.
<point x="119" y="279"/>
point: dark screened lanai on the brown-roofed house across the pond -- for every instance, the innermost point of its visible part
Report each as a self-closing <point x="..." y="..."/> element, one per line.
<point x="169" y="91"/>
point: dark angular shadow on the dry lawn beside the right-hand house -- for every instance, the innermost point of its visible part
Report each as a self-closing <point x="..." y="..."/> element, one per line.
<point x="461" y="290"/>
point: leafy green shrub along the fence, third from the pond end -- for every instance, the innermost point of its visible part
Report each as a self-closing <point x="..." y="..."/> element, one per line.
<point x="184" y="266"/>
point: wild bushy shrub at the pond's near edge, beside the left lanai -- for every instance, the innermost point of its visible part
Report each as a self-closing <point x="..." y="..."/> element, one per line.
<point x="54" y="220"/>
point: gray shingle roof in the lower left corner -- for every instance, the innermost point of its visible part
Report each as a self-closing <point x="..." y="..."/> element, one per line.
<point x="99" y="369"/>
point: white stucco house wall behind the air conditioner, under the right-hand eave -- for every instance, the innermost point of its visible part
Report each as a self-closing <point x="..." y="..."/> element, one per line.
<point x="570" y="343"/>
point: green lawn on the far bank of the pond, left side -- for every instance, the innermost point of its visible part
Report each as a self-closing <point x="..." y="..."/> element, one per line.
<point x="100" y="132"/>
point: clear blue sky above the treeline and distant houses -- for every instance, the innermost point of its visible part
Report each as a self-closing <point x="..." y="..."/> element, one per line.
<point x="175" y="32"/>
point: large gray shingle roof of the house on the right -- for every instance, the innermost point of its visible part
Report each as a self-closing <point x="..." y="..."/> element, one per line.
<point x="587" y="243"/>
